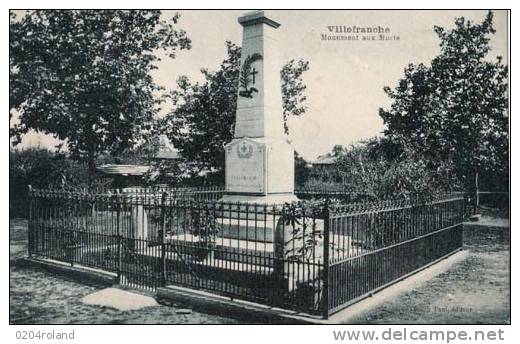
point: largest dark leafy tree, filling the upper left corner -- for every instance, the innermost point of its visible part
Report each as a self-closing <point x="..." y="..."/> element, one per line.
<point x="84" y="76"/>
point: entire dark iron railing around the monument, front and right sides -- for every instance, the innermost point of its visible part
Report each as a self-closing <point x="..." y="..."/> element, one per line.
<point x="316" y="257"/>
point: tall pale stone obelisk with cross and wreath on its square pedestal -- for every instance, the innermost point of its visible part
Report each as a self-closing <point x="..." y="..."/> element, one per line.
<point x="259" y="159"/>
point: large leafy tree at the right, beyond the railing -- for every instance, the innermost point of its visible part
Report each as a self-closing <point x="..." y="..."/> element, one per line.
<point x="455" y="111"/>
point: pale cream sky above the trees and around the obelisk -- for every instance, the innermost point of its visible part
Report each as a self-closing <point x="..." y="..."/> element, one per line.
<point x="346" y="78"/>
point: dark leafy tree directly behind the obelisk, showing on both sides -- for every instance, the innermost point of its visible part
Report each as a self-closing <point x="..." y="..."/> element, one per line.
<point x="203" y="116"/>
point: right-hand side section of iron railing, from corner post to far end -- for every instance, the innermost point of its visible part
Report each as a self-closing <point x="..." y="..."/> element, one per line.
<point x="374" y="245"/>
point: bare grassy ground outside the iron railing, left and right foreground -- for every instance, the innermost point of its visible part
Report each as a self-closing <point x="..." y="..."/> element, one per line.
<point x="476" y="290"/>
